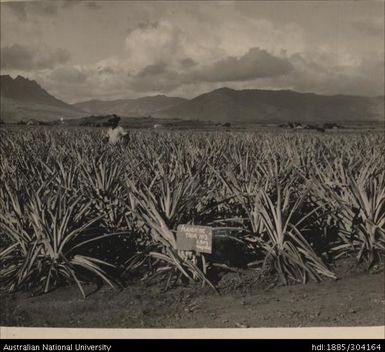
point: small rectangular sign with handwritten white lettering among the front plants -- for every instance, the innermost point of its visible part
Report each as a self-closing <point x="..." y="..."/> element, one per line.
<point x="194" y="238"/>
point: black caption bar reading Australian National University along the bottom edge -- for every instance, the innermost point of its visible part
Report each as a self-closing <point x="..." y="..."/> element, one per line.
<point x="96" y="345"/>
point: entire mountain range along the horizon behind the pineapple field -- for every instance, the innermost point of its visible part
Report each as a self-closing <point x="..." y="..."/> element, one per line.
<point x="24" y="99"/>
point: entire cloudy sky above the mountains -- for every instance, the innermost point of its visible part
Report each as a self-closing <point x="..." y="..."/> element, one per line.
<point x="80" y="50"/>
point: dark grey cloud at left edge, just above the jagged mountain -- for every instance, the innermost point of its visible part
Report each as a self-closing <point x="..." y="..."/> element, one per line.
<point x="20" y="57"/>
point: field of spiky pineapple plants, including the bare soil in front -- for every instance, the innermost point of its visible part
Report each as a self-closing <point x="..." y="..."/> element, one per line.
<point x="294" y="212"/>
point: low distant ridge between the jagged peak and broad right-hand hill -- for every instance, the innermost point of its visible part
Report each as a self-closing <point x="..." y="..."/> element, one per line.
<point x="144" y="106"/>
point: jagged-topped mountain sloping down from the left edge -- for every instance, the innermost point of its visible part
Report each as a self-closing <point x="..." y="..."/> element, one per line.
<point x="24" y="99"/>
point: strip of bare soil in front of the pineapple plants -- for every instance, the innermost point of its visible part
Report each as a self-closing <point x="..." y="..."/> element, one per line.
<point x="355" y="300"/>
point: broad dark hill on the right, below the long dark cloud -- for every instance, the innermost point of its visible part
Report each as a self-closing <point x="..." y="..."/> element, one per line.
<point x="230" y="105"/>
